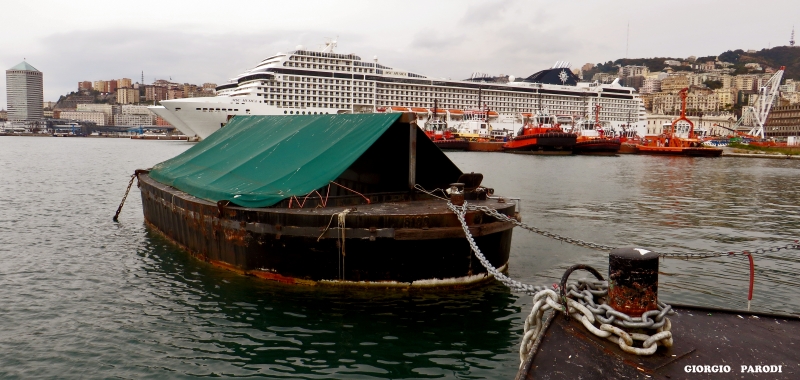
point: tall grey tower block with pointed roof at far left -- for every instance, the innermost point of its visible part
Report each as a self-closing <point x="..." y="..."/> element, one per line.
<point x="24" y="93"/>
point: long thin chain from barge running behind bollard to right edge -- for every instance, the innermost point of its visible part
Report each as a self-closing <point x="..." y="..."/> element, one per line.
<point x="601" y="247"/>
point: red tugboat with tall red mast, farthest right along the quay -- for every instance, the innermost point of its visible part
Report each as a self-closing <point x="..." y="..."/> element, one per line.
<point x="675" y="142"/>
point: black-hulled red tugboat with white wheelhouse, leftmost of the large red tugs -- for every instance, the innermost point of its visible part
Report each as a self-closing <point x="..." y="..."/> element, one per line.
<point x="542" y="135"/>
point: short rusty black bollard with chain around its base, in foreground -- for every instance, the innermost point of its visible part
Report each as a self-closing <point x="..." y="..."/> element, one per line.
<point x="633" y="280"/>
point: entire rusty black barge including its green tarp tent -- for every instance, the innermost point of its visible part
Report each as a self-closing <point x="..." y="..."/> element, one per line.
<point x="326" y="200"/>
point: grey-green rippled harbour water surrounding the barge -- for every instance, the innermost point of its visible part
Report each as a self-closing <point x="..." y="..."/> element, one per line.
<point x="84" y="297"/>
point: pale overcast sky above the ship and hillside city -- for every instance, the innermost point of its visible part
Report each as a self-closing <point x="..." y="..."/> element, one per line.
<point x="211" y="41"/>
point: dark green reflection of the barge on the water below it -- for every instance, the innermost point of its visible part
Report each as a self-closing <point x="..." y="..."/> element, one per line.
<point x="245" y="325"/>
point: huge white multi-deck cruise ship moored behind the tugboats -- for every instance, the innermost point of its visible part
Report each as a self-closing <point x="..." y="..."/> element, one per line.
<point x="303" y="82"/>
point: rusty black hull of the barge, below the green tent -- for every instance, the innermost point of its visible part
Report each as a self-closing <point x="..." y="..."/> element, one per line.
<point x="393" y="242"/>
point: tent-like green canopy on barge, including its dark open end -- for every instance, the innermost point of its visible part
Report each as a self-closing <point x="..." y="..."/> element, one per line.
<point x="258" y="161"/>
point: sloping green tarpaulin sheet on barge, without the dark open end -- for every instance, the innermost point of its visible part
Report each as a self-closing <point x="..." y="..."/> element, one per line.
<point x="257" y="161"/>
